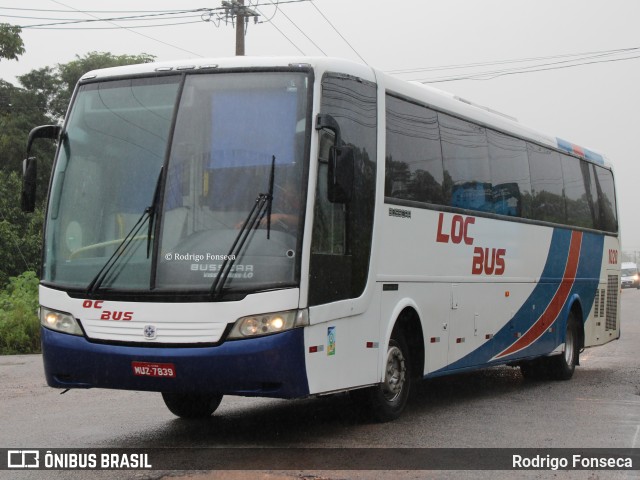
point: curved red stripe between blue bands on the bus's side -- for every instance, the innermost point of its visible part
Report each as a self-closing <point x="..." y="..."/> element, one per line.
<point x="554" y="308"/>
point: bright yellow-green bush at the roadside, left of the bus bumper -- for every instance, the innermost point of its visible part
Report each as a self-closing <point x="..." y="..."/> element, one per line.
<point x="19" y="323"/>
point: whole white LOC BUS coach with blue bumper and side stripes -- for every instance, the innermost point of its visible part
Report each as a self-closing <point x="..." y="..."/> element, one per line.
<point x="297" y="227"/>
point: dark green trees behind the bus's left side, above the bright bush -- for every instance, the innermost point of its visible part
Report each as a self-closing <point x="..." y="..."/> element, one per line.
<point x="41" y="98"/>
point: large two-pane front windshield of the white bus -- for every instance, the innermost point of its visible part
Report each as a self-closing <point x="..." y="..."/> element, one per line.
<point x="155" y="178"/>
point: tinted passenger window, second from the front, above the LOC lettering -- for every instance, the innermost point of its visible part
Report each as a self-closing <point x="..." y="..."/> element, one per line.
<point x="467" y="179"/>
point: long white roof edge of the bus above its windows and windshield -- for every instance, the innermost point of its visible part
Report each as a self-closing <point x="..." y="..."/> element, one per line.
<point x="426" y="94"/>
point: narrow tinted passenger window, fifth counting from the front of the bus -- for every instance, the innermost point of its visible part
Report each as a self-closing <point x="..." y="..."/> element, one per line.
<point x="578" y="203"/>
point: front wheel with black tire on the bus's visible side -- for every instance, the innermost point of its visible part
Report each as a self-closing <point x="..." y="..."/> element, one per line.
<point x="387" y="401"/>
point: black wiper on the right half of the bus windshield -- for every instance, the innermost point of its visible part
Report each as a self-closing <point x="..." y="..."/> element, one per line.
<point x="261" y="207"/>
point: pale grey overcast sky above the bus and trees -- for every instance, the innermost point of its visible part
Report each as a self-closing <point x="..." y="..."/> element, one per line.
<point x="581" y="57"/>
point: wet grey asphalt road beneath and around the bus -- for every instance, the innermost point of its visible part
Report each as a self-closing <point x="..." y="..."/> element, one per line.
<point x="598" y="408"/>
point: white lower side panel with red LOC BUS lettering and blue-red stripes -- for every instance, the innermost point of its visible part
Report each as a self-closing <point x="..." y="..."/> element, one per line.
<point x="494" y="291"/>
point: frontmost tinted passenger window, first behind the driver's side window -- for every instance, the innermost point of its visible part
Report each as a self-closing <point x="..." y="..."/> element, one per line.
<point x="413" y="156"/>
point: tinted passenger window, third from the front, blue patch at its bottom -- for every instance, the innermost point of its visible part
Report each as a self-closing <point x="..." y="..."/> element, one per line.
<point x="509" y="175"/>
